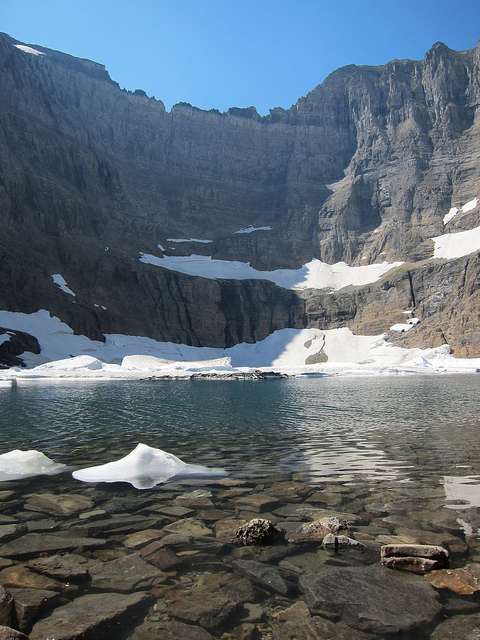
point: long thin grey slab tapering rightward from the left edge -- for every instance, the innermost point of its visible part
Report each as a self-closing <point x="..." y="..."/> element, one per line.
<point x="36" y="543"/>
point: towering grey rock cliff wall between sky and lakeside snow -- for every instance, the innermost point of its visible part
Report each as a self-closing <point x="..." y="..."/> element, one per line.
<point x="363" y="169"/>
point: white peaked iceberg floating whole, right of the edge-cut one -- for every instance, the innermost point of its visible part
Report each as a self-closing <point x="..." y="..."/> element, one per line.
<point x="144" y="468"/>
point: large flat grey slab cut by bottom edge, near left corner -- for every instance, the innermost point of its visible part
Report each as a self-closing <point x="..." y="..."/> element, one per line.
<point x="92" y="616"/>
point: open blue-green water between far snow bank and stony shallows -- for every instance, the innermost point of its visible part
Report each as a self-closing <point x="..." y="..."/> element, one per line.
<point x="336" y="428"/>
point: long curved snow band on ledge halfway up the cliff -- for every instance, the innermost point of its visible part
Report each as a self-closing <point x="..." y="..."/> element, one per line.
<point x="313" y="275"/>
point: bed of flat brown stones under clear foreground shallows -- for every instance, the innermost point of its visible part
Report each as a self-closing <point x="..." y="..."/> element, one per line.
<point x="104" y="561"/>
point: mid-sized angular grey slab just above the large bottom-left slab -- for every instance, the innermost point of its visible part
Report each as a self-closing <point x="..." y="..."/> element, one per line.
<point x="126" y="574"/>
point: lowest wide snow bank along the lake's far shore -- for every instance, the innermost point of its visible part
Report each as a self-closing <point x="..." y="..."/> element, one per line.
<point x="290" y="351"/>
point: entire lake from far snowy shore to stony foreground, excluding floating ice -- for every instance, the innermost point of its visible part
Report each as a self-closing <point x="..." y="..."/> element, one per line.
<point x="395" y="462"/>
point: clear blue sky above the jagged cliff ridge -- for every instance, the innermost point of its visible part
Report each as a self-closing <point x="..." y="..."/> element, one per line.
<point x="220" y="53"/>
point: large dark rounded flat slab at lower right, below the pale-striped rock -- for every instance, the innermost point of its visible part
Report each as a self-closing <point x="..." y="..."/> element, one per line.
<point x="371" y="598"/>
